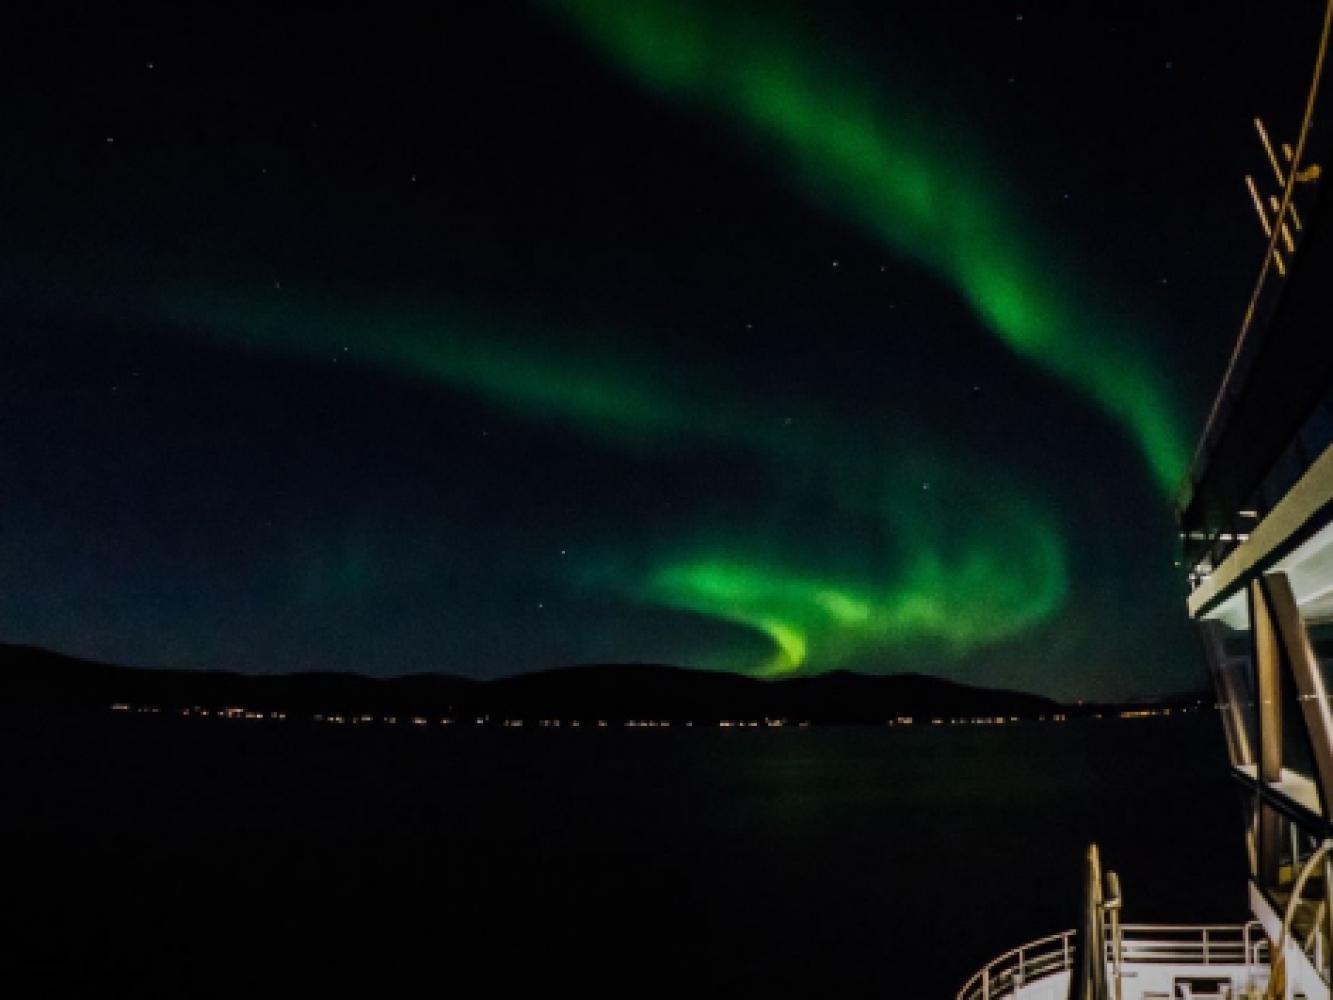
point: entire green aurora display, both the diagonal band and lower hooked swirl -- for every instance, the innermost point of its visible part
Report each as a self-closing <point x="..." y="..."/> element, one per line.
<point x="950" y="581"/>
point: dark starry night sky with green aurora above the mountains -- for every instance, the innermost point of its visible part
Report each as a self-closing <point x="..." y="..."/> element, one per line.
<point x="751" y="337"/>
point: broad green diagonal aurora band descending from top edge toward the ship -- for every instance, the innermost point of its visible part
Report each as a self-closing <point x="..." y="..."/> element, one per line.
<point x="915" y="186"/>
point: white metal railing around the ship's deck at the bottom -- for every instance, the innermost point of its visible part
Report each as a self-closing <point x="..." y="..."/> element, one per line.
<point x="1142" y="945"/>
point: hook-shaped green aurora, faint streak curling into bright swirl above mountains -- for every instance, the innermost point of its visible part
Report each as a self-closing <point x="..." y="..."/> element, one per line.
<point x="956" y="578"/>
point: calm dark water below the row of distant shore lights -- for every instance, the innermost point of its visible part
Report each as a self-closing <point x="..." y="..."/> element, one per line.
<point x="157" y="857"/>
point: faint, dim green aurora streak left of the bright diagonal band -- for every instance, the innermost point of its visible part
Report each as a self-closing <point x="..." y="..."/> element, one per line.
<point x="543" y="377"/>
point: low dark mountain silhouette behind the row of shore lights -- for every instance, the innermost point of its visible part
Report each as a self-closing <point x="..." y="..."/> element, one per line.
<point x="615" y="693"/>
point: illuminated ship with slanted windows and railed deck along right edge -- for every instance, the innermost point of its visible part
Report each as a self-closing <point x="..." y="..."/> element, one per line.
<point x="1255" y="517"/>
